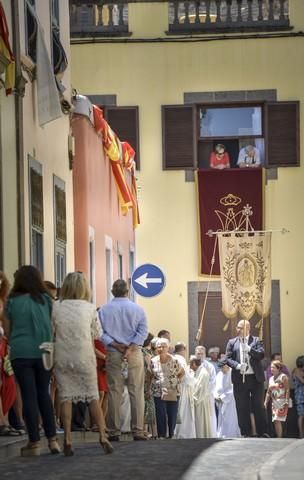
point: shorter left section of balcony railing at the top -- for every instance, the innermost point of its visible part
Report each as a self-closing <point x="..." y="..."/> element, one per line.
<point x="98" y="19"/>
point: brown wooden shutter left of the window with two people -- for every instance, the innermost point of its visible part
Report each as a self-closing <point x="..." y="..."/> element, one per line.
<point x="179" y="136"/>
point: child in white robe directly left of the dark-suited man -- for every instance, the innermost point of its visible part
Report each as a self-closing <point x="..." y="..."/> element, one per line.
<point x="227" y="416"/>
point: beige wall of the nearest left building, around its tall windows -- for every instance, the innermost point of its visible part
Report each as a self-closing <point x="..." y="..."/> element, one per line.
<point x="48" y="145"/>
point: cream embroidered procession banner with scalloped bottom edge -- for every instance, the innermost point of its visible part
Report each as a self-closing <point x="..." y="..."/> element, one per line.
<point x="245" y="263"/>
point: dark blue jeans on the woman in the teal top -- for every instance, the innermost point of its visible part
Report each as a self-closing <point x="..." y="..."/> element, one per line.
<point x="34" y="382"/>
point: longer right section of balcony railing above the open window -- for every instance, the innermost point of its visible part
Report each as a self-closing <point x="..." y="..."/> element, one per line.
<point x="228" y="16"/>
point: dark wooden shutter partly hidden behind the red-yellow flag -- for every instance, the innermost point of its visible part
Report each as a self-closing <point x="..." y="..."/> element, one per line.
<point x="125" y="123"/>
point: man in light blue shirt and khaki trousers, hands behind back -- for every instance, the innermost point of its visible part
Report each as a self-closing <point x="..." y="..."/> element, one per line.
<point x="125" y="329"/>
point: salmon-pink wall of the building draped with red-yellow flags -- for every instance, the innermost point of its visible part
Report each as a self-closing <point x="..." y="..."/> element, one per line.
<point x="96" y="206"/>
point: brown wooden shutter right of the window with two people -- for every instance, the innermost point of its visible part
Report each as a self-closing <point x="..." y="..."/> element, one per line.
<point x="283" y="134"/>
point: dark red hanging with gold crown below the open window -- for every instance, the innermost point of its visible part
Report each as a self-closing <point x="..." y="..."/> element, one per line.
<point x="223" y="196"/>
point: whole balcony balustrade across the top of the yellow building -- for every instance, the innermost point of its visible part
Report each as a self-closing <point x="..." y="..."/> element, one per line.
<point x="97" y="19"/>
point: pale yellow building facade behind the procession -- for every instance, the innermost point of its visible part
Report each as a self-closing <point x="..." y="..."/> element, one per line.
<point x="196" y="56"/>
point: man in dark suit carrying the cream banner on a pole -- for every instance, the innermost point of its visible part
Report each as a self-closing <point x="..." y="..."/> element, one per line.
<point x="244" y="355"/>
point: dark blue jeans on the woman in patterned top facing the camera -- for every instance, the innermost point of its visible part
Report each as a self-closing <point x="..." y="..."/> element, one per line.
<point x="166" y="414"/>
